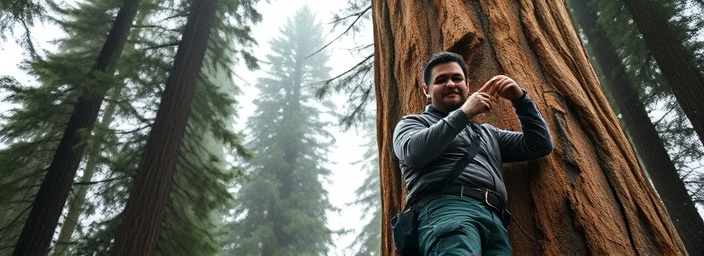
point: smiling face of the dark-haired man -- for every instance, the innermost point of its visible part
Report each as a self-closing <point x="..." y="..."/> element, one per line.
<point x="449" y="89"/>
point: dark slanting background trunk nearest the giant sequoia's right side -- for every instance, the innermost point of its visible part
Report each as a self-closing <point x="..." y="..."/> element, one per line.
<point x="648" y="144"/>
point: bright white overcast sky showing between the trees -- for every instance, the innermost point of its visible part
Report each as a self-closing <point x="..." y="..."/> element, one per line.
<point x="346" y="177"/>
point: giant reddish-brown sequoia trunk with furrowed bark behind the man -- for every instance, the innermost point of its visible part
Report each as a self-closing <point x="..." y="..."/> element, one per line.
<point x="589" y="196"/>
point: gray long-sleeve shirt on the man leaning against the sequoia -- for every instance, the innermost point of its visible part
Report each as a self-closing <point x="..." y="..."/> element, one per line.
<point x="427" y="154"/>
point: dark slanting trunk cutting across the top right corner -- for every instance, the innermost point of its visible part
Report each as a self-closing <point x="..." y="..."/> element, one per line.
<point x="676" y="64"/>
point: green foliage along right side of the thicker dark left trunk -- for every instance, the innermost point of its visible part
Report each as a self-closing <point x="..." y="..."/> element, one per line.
<point x="200" y="194"/>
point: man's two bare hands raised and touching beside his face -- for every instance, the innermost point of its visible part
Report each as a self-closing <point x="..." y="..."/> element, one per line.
<point x="481" y="100"/>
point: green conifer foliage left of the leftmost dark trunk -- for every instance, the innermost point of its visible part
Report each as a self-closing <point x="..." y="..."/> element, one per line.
<point x="33" y="129"/>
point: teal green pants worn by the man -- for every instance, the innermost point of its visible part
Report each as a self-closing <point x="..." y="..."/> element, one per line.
<point x="454" y="225"/>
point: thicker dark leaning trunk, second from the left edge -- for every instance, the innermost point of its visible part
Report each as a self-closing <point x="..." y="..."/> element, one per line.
<point x="143" y="214"/>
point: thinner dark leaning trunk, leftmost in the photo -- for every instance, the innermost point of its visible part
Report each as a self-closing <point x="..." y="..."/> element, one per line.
<point x="46" y="210"/>
